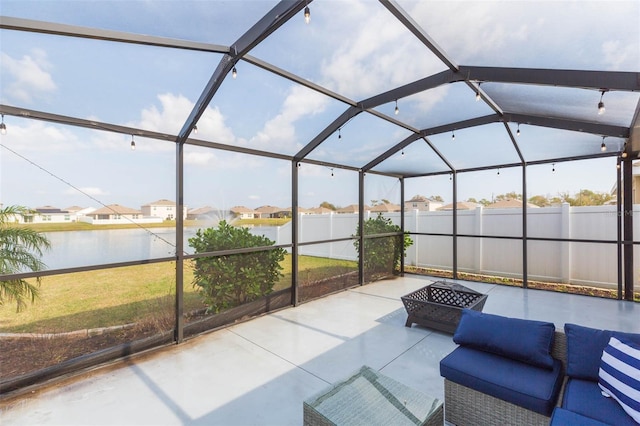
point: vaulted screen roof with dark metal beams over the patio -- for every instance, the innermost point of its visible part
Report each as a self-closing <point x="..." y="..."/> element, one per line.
<point x="475" y="84"/>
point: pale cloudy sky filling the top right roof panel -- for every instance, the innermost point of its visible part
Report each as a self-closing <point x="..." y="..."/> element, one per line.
<point x="542" y="34"/>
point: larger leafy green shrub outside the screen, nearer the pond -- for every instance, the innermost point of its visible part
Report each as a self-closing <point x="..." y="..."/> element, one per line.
<point x="231" y="280"/>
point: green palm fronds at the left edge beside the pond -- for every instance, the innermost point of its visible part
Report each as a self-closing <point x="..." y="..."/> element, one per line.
<point x="21" y="249"/>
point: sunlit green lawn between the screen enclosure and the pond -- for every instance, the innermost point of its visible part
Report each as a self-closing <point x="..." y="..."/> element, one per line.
<point x="110" y="297"/>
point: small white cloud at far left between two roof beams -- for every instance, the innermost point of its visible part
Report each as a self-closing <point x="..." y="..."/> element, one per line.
<point x="29" y="76"/>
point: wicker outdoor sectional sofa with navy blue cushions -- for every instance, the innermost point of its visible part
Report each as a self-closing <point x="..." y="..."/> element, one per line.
<point x="511" y="371"/>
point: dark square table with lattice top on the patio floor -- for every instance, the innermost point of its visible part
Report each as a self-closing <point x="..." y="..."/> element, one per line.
<point x="439" y="305"/>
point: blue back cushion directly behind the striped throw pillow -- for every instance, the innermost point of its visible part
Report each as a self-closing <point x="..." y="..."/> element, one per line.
<point x="584" y="349"/>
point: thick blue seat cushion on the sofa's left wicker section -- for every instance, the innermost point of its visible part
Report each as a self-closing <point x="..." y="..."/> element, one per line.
<point x="519" y="383"/>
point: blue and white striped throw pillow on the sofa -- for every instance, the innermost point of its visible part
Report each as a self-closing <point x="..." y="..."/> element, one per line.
<point x="619" y="376"/>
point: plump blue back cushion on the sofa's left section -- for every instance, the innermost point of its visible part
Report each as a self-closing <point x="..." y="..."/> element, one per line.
<point x="522" y="340"/>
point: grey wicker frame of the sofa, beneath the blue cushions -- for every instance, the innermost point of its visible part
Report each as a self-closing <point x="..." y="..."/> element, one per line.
<point x="465" y="406"/>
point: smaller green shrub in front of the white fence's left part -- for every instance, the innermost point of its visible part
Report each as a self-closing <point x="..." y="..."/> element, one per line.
<point x="383" y="254"/>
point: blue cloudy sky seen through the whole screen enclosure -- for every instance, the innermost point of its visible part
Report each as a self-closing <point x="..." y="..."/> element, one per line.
<point x="355" y="48"/>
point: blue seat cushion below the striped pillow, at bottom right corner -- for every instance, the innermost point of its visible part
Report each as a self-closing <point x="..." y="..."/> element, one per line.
<point x="584" y="397"/>
